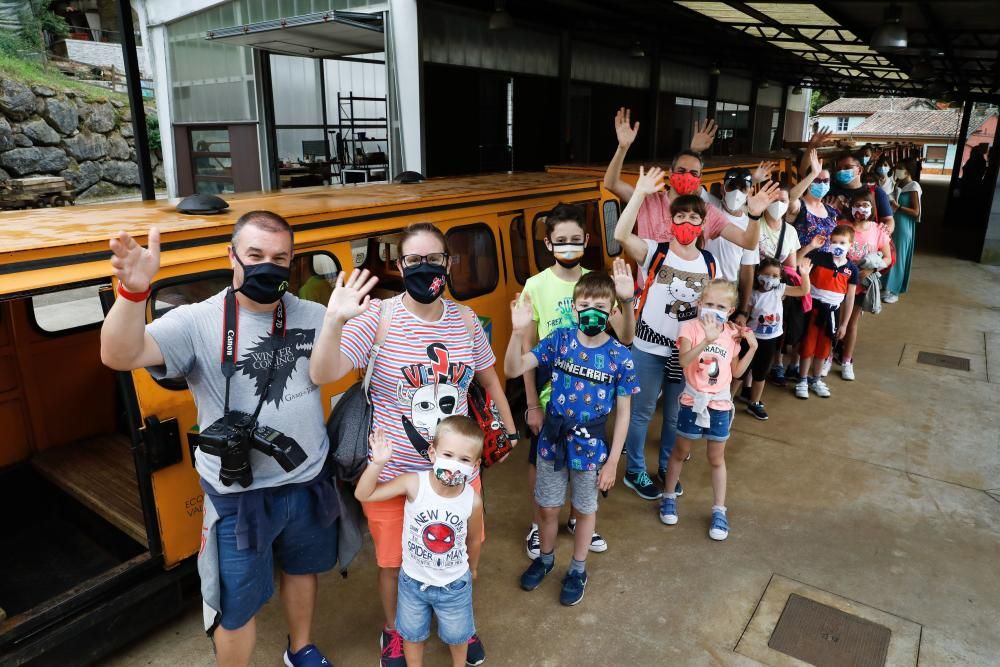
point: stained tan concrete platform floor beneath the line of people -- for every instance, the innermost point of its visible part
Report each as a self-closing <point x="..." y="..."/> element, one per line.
<point x="887" y="494"/>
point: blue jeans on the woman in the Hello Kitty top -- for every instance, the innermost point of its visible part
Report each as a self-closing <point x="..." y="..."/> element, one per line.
<point x="650" y="370"/>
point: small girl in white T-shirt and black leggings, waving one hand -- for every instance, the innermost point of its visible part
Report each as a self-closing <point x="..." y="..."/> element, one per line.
<point x="766" y="321"/>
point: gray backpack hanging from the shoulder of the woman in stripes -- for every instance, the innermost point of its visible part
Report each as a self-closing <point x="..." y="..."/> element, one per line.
<point x="350" y="421"/>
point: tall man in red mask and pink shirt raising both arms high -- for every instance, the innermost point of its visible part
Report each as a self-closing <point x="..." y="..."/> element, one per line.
<point x="685" y="178"/>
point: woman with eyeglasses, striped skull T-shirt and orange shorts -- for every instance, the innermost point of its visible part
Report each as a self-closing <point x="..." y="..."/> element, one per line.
<point x="421" y="373"/>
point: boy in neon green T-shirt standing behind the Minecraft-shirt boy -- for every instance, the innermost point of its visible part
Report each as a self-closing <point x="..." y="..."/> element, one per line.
<point x="551" y="293"/>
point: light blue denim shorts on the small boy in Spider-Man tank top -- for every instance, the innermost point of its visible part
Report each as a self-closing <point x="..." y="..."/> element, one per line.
<point x="451" y="604"/>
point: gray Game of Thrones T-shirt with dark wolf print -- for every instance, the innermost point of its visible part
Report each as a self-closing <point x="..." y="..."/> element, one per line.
<point x="190" y="338"/>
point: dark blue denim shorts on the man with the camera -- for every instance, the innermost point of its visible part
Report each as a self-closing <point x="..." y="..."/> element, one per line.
<point x="298" y="541"/>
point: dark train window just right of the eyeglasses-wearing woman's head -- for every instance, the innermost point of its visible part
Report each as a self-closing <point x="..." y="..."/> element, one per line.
<point x="475" y="269"/>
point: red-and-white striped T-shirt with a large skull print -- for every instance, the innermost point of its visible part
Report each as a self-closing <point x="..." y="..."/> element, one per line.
<point x="421" y="375"/>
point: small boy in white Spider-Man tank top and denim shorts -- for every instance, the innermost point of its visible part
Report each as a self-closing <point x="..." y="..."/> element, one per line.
<point x="441" y="510"/>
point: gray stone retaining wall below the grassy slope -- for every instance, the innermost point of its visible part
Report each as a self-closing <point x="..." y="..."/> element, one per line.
<point x="86" y="139"/>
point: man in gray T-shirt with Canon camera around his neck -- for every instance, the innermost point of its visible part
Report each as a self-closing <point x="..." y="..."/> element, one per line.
<point x="284" y="515"/>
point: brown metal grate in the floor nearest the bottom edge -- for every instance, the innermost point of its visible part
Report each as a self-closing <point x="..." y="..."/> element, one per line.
<point x="822" y="635"/>
